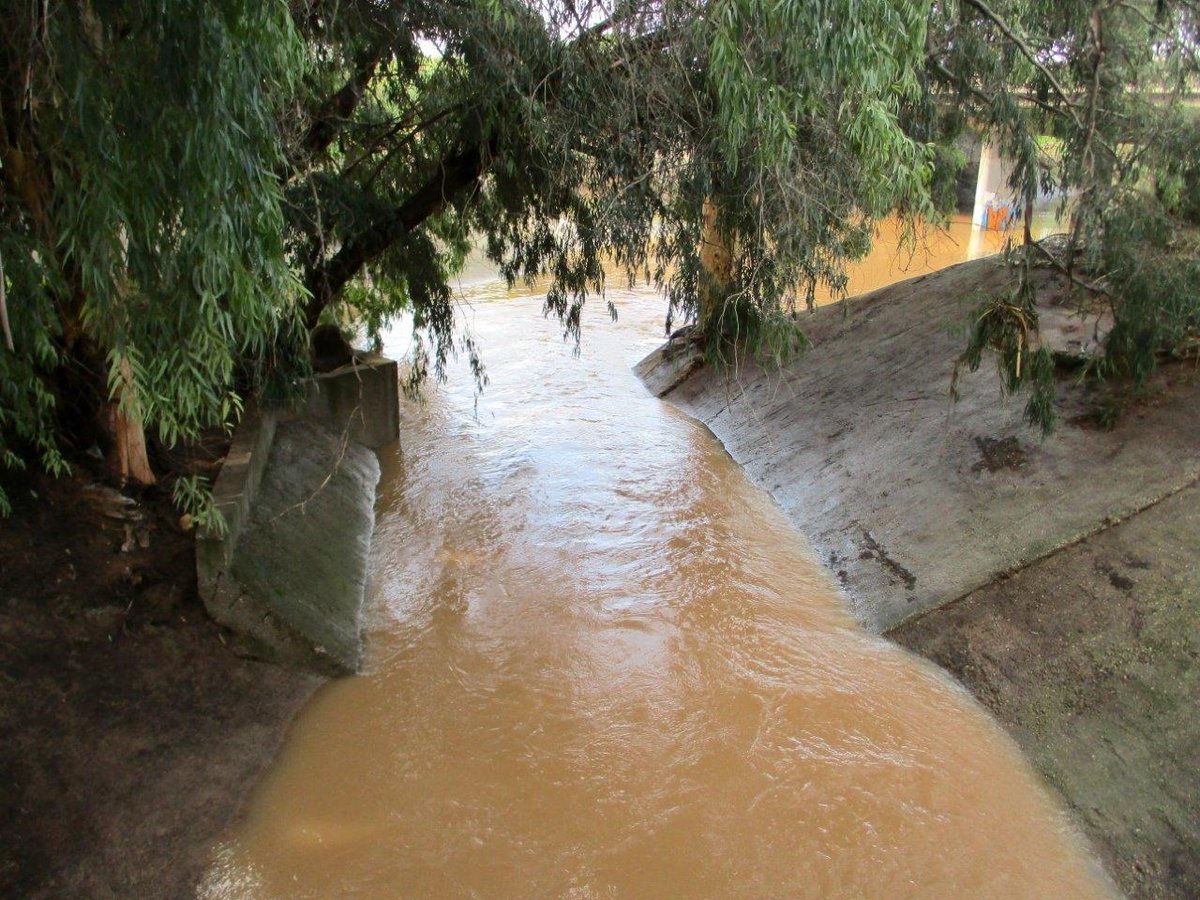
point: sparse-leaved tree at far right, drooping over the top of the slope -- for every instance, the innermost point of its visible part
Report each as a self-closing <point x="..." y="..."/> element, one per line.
<point x="1097" y="101"/>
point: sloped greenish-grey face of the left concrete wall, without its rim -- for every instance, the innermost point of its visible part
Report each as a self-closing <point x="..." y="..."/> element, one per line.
<point x="302" y="565"/>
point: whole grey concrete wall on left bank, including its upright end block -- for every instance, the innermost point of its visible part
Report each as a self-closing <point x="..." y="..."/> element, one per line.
<point x="297" y="493"/>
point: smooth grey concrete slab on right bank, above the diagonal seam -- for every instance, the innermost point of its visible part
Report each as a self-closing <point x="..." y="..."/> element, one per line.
<point x="911" y="500"/>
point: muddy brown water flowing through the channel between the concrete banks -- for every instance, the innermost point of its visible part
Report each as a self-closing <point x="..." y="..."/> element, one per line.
<point x="604" y="665"/>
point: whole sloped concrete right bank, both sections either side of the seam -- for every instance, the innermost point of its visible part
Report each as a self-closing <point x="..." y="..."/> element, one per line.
<point x="1058" y="579"/>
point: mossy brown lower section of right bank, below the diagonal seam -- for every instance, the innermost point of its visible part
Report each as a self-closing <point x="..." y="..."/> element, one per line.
<point x="1091" y="658"/>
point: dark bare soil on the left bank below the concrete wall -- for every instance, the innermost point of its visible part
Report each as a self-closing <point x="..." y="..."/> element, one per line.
<point x="131" y="728"/>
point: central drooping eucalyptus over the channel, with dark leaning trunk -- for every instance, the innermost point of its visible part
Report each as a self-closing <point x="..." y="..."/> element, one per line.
<point x="563" y="135"/>
